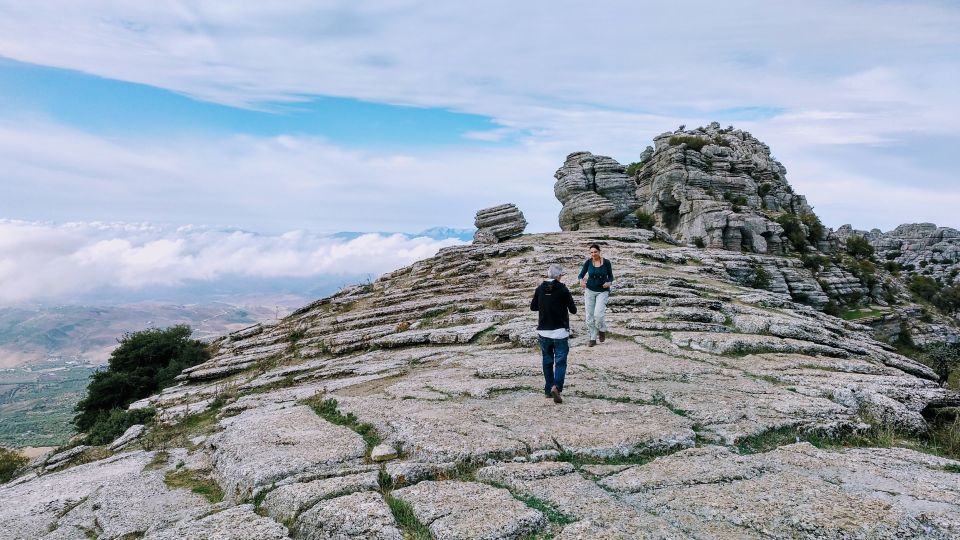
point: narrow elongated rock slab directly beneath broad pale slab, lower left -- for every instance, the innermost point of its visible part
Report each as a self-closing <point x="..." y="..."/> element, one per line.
<point x="286" y="502"/>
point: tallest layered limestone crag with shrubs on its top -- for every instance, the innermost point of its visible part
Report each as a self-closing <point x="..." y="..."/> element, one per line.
<point x="720" y="186"/>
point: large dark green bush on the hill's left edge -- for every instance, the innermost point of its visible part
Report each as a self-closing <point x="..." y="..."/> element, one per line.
<point x="144" y="363"/>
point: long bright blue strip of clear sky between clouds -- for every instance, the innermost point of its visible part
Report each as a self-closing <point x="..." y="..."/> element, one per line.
<point x="116" y="108"/>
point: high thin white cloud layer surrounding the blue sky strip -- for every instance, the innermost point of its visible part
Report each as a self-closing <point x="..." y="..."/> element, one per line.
<point x="605" y="78"/>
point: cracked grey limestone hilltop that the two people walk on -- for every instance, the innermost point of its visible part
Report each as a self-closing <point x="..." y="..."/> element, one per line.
<point x="410" y="408"/>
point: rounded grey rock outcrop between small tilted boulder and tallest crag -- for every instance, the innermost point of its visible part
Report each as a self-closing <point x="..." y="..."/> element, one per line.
<point x="595" y="191"/>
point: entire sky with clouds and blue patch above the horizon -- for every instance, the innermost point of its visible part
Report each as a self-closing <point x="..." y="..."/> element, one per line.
<point x="159" y="133"/>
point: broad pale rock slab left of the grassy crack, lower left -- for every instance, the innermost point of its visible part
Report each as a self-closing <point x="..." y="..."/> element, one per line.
<point x="261" y="446"/>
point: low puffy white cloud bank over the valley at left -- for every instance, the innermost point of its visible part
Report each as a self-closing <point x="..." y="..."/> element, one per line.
<point x="44" y="261"/>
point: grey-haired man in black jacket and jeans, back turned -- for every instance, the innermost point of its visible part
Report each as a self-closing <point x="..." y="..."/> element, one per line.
<point x="553" y="300"/>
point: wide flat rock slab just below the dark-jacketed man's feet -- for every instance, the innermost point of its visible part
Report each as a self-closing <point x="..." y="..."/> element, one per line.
<point x="516" y="423"/>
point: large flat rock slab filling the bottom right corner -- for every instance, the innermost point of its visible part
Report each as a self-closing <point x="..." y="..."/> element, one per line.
<point x="799" y="491"/>
